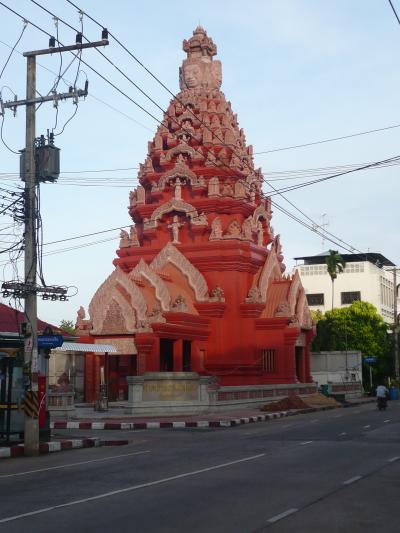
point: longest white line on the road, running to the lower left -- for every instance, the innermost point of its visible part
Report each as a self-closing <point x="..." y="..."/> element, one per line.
<point x="129" y="489"/>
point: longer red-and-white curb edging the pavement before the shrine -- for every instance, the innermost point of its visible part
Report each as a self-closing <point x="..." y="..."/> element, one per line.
<point x="182" y="424"/>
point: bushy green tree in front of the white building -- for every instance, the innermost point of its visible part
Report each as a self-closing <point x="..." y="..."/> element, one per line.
<point x="357" y="327"/>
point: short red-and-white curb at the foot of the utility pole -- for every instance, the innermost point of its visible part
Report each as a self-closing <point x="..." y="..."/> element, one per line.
<point x="59" y="446"/>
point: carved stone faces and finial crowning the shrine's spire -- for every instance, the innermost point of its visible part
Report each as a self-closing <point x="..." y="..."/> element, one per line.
<point x="199" y="71"/>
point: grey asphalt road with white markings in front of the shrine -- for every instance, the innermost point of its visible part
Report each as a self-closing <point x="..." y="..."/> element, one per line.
<point x="334" y="471"/>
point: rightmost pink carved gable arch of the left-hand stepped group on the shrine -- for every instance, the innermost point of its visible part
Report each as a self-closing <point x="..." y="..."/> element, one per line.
<point x="195" y="278"/>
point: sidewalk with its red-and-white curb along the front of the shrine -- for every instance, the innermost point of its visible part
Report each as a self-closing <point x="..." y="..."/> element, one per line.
<point x="88" y="419"/>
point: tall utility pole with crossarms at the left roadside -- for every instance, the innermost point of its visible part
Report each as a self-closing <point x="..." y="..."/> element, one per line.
<point x="29" y="289"/>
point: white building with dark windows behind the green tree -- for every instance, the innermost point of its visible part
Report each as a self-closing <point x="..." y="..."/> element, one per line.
<point x="367" y="277"/>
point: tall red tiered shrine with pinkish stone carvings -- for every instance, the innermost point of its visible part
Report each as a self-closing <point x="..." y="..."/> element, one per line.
<point x="199" y="281"/>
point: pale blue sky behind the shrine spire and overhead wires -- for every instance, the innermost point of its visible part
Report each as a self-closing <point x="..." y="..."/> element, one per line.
<point x="296" y="72"/>
